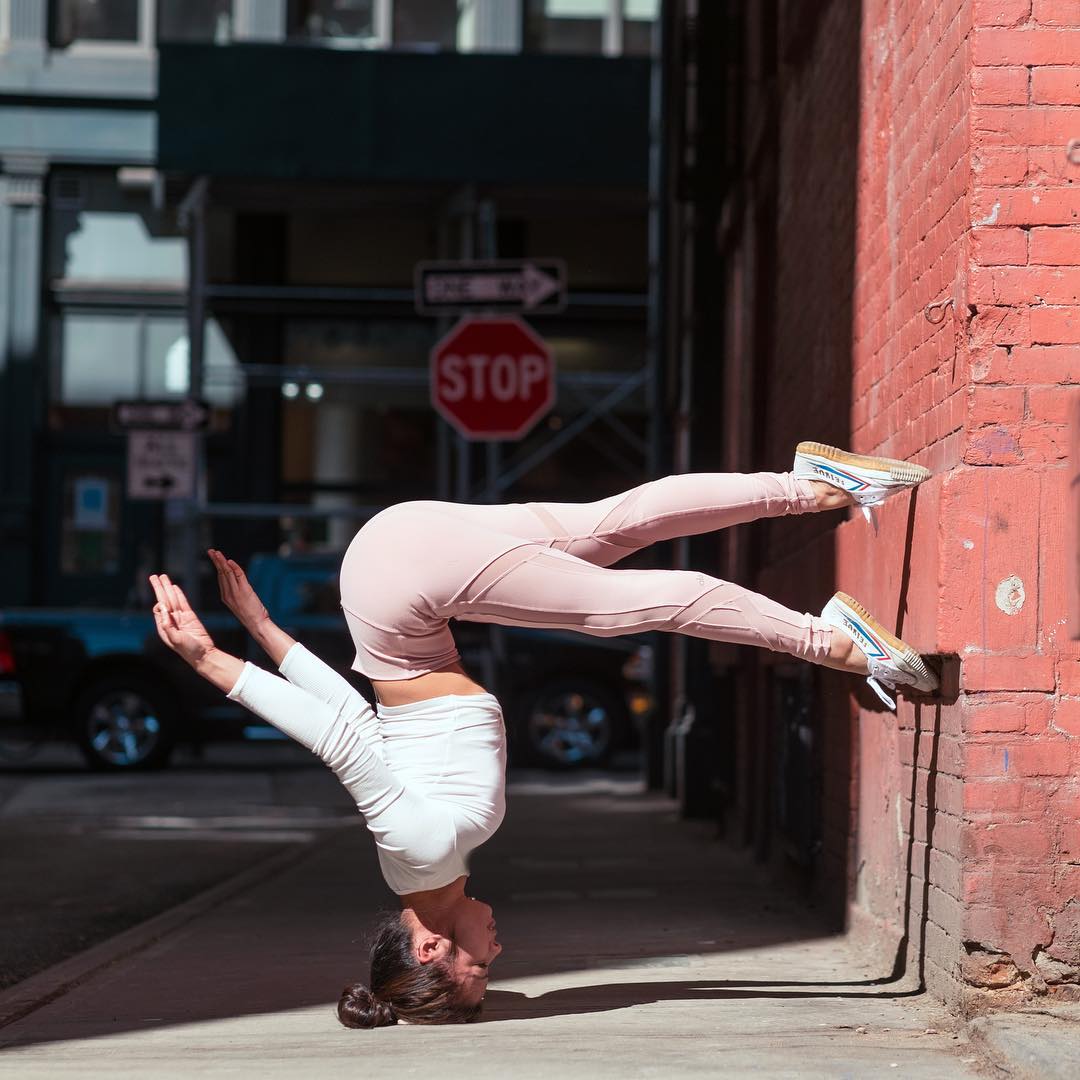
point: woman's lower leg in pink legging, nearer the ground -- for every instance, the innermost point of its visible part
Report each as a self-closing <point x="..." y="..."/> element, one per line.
<point x="538" y="587"/>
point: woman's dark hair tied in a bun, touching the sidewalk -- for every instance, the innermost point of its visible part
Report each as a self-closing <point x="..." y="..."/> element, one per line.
<point x="402" y="988"/>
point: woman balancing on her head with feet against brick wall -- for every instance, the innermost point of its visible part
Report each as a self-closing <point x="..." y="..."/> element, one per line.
<point x="427" y="771"/>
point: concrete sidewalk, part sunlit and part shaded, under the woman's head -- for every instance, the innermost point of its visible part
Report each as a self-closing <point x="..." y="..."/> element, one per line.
<point x="636" y="946"/>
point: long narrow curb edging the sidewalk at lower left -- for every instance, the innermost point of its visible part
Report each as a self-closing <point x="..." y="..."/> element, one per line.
<point x="47" y="987"/>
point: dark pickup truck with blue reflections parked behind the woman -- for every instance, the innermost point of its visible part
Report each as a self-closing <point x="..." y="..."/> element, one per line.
<point x="106" y="680"/>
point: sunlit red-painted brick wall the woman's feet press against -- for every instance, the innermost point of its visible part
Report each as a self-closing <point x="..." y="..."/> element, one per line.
<point x="950" y="186"/>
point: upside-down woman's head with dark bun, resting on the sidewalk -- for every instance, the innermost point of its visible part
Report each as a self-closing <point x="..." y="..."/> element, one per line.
<point x="423" y="977"/>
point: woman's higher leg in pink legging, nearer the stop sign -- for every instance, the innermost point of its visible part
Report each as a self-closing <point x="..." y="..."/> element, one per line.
<point x="605" y="532"/>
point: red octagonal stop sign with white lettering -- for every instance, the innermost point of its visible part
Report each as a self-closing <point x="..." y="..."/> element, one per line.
<point x="493" y="379"/>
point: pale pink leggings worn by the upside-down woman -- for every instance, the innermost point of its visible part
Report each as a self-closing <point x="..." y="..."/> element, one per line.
<point x="418" y="564"/>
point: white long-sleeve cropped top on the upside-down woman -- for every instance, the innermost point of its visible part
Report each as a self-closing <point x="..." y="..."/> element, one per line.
<point x="429" y="779"/>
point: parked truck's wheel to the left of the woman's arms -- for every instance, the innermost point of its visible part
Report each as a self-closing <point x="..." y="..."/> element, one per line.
<point x="124" y="722"/>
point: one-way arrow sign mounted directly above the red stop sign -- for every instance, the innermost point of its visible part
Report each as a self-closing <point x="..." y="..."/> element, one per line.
<point x="498" y="286"/>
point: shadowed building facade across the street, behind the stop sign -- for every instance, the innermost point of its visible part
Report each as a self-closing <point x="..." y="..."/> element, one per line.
<point x="228" y="200"/>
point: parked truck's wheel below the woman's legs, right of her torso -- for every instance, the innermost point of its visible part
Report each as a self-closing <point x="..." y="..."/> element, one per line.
<point x="572" y="724"/>
